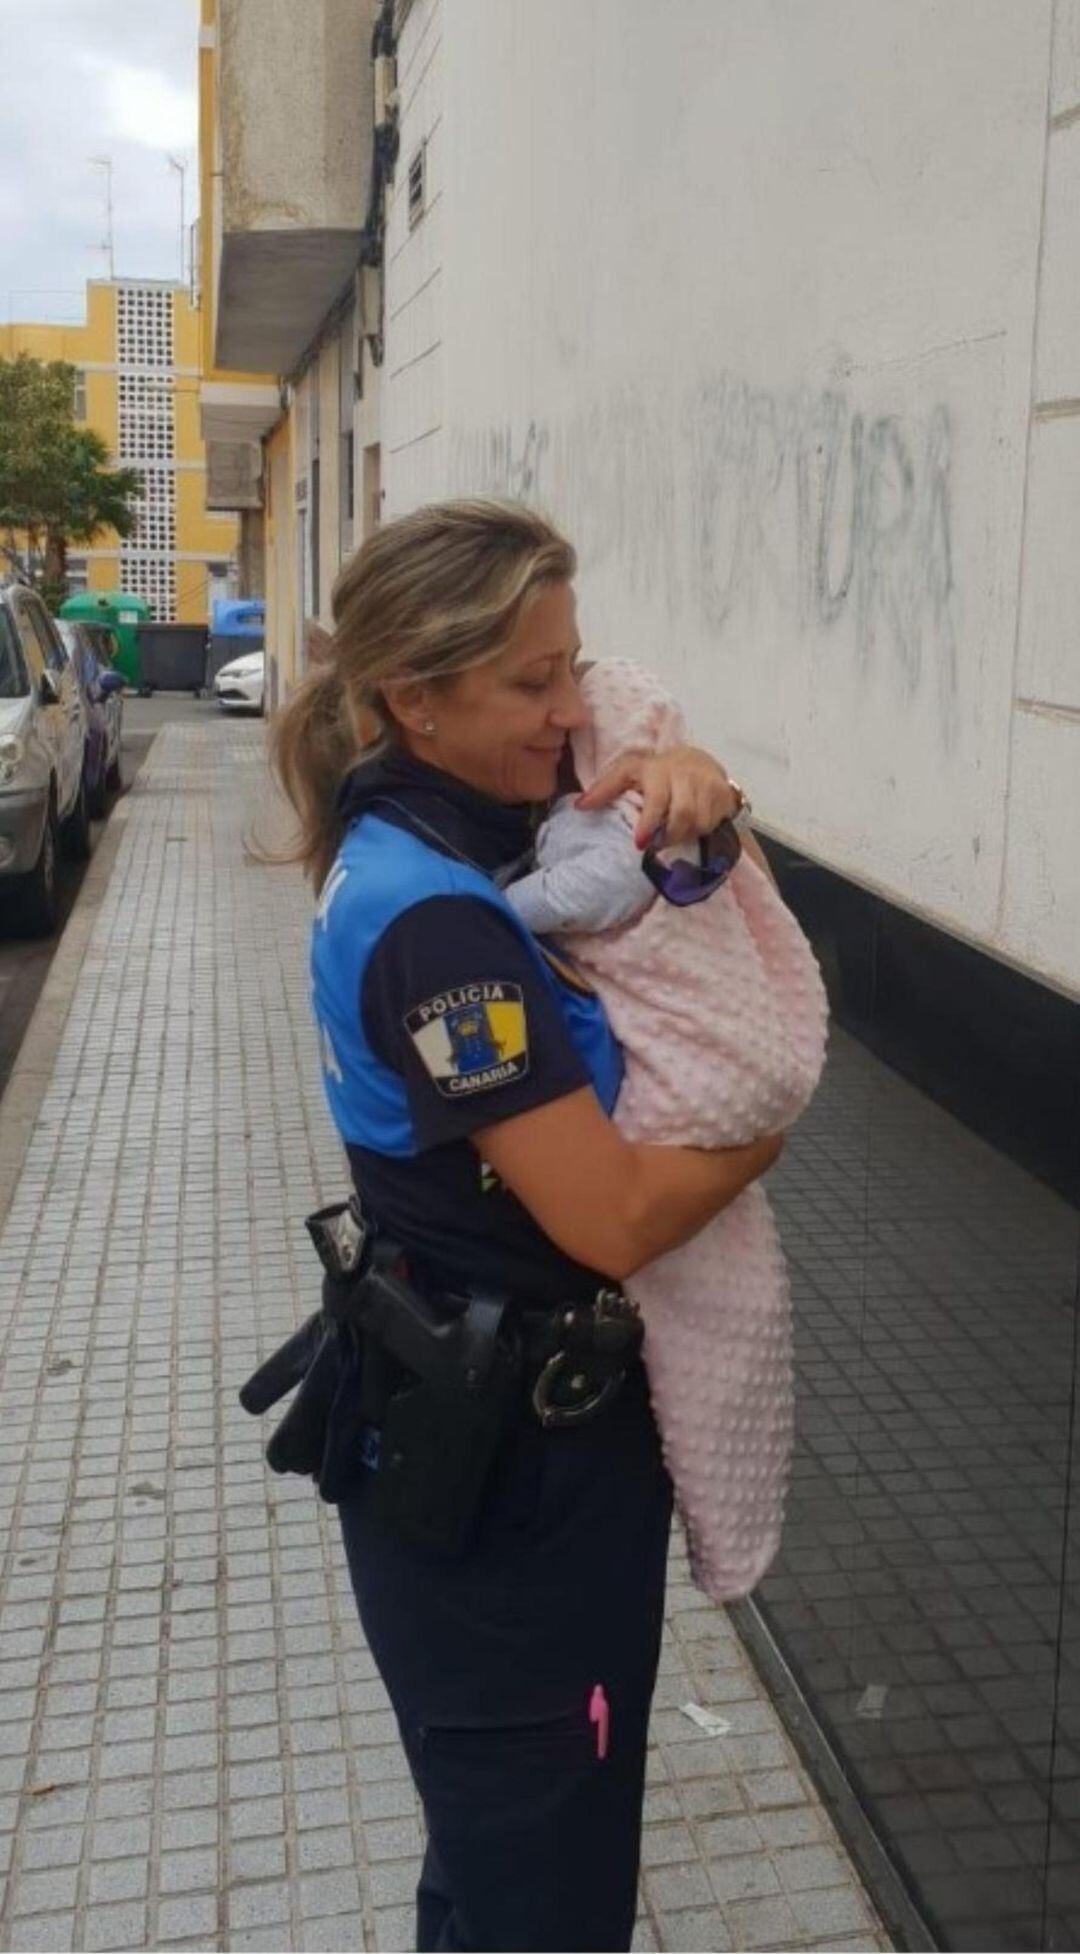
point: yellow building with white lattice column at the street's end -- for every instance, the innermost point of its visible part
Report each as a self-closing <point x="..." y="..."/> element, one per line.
<point x="138" y="361"/>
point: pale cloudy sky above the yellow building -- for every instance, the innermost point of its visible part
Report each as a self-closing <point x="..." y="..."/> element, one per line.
<point x="93" y="79"/>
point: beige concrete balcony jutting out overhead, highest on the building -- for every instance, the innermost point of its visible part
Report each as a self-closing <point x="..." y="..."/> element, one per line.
<point x="294" y="146"/>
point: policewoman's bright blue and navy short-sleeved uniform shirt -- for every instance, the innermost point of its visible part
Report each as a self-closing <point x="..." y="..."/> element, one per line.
<point x="440" y="1015"/>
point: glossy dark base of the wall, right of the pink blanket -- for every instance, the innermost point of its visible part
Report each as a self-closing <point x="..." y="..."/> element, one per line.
<point x="929" y="1588"/>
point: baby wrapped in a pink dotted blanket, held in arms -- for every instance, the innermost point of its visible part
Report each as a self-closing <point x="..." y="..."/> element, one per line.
<point x="722" y="1015"/>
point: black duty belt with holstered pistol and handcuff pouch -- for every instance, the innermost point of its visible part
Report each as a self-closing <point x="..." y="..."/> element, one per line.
<point x="419" y="1392"/>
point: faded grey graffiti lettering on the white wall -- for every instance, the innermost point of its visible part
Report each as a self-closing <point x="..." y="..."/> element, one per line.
<point x="841" y="517"/>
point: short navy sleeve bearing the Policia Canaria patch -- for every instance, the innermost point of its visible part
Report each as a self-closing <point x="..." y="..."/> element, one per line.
<point x="454" y="1003"/>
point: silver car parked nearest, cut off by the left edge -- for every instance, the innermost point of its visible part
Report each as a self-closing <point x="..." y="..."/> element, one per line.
<point x="42" y="753"/>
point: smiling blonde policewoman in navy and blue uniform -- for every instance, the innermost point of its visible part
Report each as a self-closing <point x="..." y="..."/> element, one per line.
<point x="472" y="1076"/>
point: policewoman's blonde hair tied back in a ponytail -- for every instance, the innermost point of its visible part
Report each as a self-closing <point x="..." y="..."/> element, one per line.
<point x="425" y="597"/>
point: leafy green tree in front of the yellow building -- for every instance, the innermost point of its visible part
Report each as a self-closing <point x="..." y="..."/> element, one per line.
<point x="56" y="484"/>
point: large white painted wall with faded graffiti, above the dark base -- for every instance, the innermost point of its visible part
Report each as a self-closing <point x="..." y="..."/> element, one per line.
<point x="749" y="298"/>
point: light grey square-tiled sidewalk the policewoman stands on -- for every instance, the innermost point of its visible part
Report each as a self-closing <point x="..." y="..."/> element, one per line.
<point x="194" y="1746"/>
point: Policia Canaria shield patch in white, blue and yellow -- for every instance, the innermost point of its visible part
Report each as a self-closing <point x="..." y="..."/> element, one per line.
<point x="472" y="1039"/>
